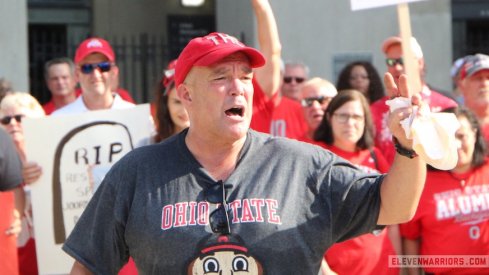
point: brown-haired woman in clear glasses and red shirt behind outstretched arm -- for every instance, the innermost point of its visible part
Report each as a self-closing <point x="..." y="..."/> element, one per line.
<point x="347" y="131"/>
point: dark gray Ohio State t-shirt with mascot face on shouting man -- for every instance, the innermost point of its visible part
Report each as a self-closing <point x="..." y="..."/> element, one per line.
<point x="288" y="202"/>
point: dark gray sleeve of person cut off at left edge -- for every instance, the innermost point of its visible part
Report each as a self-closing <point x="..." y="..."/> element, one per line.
<point x="10" y="164"/>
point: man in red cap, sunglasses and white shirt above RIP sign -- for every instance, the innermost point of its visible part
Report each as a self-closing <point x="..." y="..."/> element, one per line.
<point x="96" y="72"/>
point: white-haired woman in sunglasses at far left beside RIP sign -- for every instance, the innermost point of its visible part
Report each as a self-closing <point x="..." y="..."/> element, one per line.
<point x="13" y="109"/>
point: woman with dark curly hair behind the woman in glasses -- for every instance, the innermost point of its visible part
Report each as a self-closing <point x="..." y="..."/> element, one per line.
<point x="361" y="76"/>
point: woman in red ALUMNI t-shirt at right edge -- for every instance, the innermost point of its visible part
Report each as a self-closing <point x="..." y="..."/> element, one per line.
<point x="452" y="217"/>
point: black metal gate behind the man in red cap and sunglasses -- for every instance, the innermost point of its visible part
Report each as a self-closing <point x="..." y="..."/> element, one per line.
<point x="141" y="59"/>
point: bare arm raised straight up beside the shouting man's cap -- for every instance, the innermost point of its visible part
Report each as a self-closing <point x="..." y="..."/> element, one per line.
<point x="268" y="76"/>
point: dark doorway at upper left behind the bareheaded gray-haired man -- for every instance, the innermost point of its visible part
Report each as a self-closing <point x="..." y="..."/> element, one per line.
<point x="45" y="42"/>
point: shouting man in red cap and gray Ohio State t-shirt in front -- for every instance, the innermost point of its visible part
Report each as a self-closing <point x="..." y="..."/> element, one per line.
<point x="288" y="201"/>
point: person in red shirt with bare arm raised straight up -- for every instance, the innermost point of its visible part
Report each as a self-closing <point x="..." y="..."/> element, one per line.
<point x="272" y="112"/>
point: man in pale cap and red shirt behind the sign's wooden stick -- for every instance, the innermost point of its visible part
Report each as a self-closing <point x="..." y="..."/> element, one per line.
<point x="437" y="102"/>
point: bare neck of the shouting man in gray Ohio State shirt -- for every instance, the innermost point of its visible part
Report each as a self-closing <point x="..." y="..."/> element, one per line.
<point x="218" y="157"/>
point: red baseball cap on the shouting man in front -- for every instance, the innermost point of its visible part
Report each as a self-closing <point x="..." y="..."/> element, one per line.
<point x="207" y="50"/>
